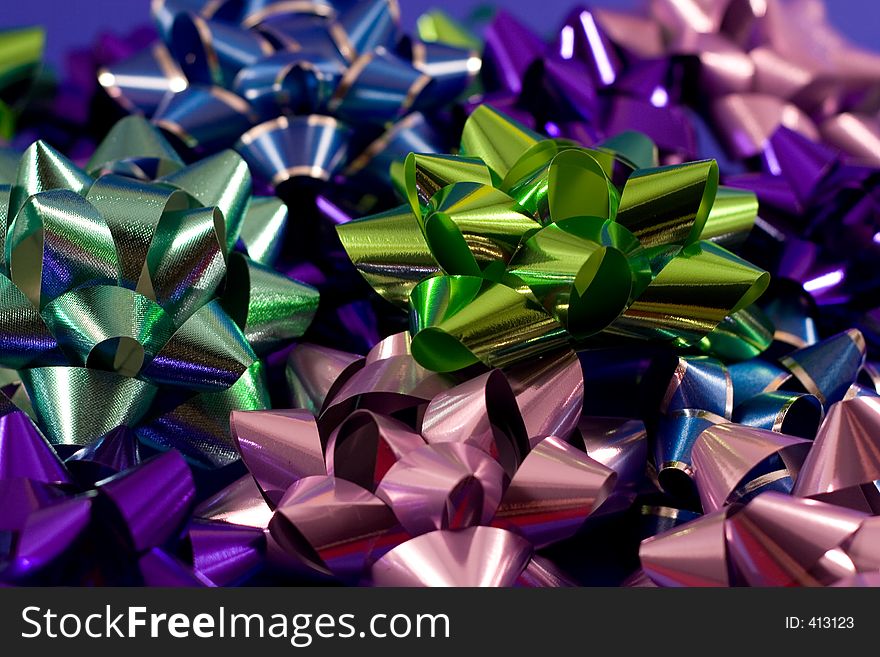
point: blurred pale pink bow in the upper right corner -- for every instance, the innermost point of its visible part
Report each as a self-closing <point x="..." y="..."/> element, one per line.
<point x="763" y="74"/>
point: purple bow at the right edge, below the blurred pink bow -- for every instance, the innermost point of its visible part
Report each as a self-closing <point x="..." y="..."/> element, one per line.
<point x="822" y="217"/>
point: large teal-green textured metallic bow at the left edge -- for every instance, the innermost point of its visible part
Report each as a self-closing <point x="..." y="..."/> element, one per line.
<point x="122" y="301"/>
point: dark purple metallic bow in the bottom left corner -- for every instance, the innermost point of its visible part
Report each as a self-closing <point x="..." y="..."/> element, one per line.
<point x="66" y="528"/>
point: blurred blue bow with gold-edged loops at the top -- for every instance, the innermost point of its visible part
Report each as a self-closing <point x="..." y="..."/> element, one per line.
<point x="300" y="89"/>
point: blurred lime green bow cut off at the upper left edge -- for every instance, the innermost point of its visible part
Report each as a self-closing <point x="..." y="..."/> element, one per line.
<point x="21" y="52"/>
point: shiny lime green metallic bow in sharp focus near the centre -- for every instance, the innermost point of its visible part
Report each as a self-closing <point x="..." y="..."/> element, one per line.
<point x="521" y="244"/>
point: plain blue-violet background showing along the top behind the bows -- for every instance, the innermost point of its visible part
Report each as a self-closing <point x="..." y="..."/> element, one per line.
<point x="72" y="23"/>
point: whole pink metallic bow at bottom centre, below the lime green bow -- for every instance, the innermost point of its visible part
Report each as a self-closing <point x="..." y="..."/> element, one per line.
<point x="403" y="466"/>
